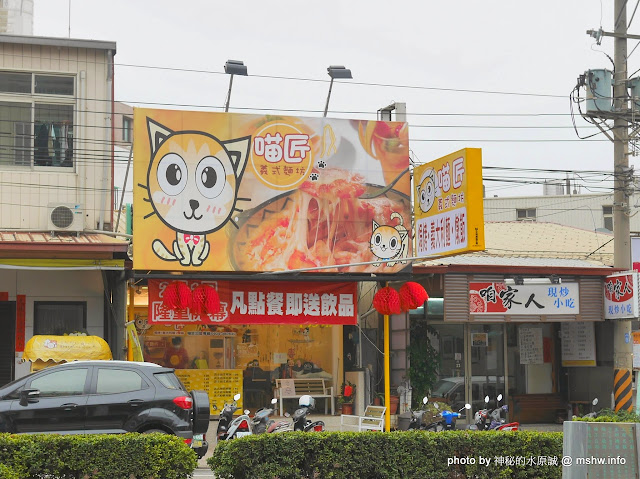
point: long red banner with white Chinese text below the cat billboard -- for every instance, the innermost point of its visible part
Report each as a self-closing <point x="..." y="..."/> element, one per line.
<point x="245" y="302"/>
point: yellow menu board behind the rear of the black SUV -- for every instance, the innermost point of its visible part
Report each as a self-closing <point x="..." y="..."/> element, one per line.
<point x="220" y="384"/>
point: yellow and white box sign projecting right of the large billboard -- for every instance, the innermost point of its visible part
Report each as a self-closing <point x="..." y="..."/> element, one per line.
<point x="448" y="204"/>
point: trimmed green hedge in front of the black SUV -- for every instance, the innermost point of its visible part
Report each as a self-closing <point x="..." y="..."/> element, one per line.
<point x="99" y="456"/>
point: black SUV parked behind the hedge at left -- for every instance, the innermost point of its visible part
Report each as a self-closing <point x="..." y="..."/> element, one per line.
<point x="89" y="397"/>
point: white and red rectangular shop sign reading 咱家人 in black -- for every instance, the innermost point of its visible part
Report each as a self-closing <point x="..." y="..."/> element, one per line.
<point x="539" y="299"/>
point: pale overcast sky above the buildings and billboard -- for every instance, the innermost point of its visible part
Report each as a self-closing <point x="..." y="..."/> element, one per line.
<point x="494" y="75"/>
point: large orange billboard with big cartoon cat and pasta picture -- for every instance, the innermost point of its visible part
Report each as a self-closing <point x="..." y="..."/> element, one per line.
<point x="233" y="192"/>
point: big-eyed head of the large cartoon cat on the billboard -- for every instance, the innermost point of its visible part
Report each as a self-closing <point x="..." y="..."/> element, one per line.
<point x="193" y="178"/>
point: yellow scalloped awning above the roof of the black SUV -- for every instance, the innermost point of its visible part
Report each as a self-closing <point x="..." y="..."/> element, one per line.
<point x="66" y="348"/>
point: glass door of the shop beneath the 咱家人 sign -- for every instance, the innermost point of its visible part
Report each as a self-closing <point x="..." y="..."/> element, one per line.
<point x="486" y="365"/>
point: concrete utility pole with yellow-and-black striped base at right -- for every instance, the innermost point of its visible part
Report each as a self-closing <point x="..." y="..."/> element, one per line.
<point x="622" y="343"/>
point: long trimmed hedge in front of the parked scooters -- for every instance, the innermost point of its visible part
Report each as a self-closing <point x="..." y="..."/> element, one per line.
<point x="406" y="454"/>
